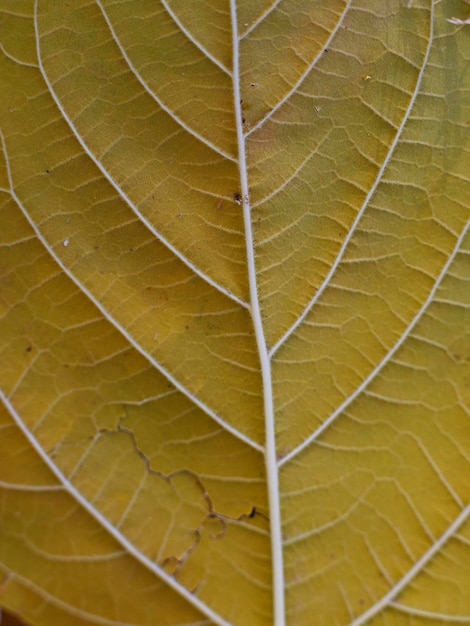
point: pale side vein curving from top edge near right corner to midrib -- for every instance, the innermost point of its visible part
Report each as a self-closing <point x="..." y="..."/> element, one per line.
<point x="367" y="199"/>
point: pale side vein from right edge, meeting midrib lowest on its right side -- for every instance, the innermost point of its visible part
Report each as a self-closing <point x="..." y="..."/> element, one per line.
<point x="385" y="360"/>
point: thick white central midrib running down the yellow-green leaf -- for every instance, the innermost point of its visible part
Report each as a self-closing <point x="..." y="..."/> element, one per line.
<point x="272" y="475"/>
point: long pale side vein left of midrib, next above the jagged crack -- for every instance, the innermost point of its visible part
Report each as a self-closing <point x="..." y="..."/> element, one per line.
<point x="118" y="326"/>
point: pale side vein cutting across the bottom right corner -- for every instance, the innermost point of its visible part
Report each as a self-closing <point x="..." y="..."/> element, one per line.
<point x="414" y="571"/>
